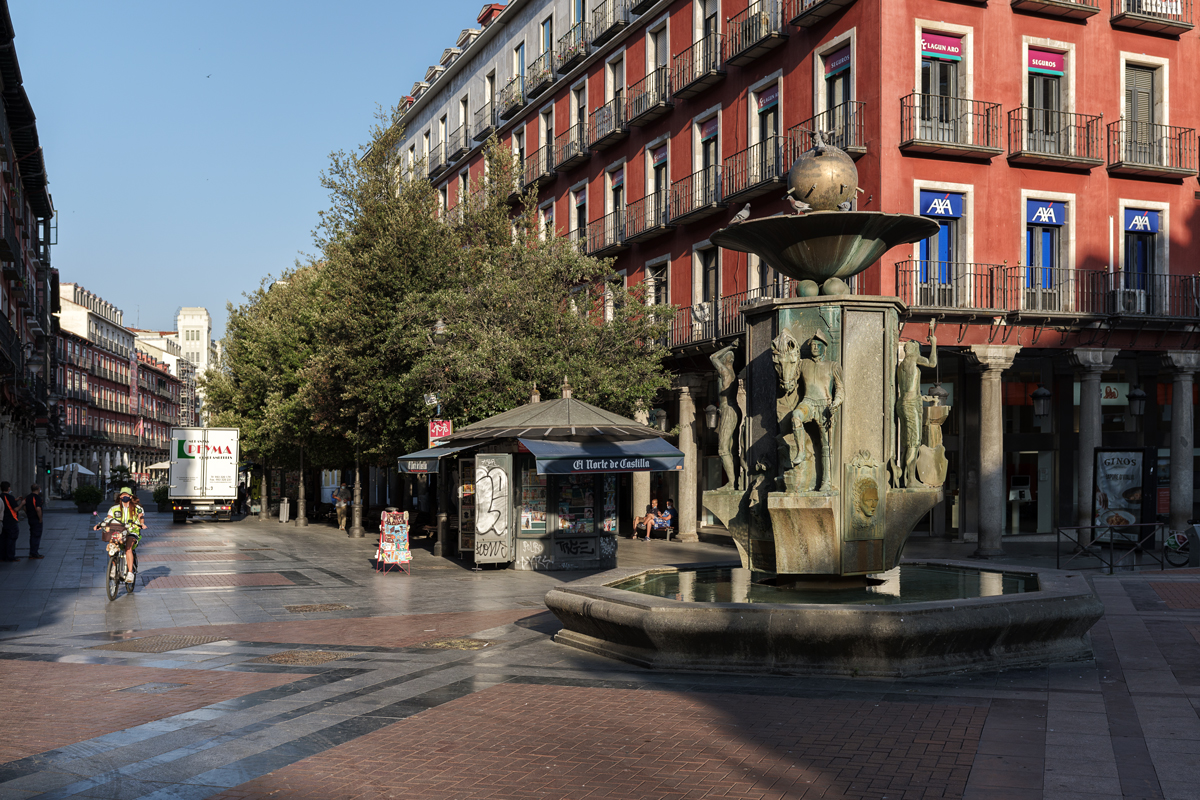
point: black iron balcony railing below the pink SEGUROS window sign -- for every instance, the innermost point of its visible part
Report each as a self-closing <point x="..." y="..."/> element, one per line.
<point x="1037" y="136"/>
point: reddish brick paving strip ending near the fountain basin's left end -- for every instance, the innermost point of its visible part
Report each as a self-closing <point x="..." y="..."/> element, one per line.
<point x="381" y="631"/>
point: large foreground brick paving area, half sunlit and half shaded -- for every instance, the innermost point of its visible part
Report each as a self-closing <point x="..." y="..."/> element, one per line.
<point x="533" y="742"/>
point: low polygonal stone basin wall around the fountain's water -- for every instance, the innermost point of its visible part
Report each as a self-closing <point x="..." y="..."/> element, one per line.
<point x="889" y="641"/>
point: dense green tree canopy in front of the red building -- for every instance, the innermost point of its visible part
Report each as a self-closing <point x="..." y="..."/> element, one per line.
<point x="338" y="354"/>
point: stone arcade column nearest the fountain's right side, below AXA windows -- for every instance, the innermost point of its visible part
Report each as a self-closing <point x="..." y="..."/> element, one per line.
<point x="993" y="362"/>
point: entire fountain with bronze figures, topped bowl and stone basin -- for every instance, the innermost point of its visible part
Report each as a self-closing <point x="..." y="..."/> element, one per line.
<point x="842" y="455"/>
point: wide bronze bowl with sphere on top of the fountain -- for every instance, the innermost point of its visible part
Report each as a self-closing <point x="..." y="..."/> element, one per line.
<point x="824" y="243"/>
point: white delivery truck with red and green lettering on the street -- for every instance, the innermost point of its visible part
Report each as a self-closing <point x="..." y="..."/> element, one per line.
<point x="203" y="473"/>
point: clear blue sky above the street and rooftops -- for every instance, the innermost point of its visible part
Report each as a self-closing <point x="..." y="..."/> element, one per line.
<point x="184" y="141"/>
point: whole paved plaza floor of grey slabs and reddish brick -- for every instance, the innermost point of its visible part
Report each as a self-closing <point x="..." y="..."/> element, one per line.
<point x="260" y="660"/>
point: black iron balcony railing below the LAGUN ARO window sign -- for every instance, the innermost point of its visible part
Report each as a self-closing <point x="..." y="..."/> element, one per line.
<point x="950" y="125"/>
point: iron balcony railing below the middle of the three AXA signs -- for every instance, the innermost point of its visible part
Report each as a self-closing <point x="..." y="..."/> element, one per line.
<point x="1052" y="291"/>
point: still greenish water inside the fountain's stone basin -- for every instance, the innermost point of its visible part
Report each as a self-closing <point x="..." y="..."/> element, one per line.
<point x="908" y="584"/>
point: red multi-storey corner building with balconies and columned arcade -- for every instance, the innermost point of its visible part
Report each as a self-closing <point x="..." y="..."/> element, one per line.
<point x="1053" y="141"/>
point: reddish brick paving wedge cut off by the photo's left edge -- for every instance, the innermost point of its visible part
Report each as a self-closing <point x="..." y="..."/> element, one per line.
<point x="59" y="705"/>
